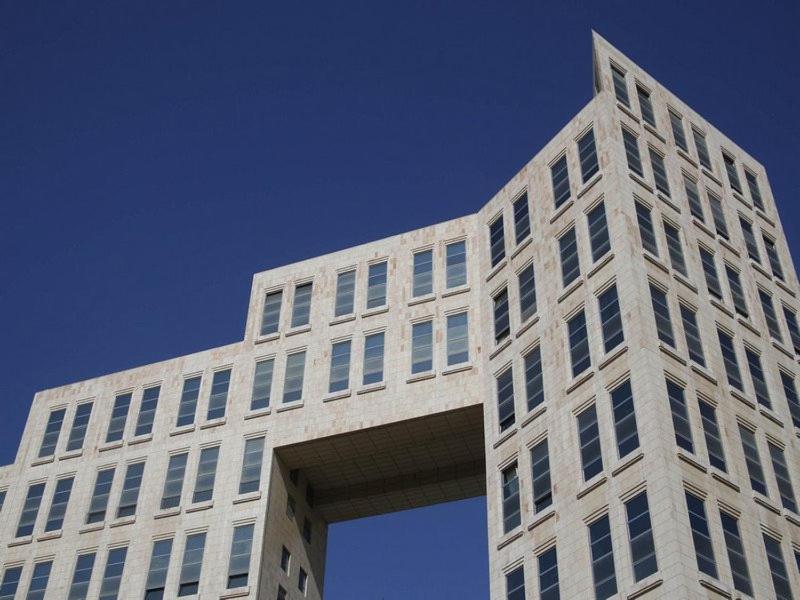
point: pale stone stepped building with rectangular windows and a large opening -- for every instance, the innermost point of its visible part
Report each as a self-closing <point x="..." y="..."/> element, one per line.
<point x="607" y="349"/>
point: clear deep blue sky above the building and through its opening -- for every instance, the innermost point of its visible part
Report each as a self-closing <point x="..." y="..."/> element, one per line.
<point x="153" y="155"/>
